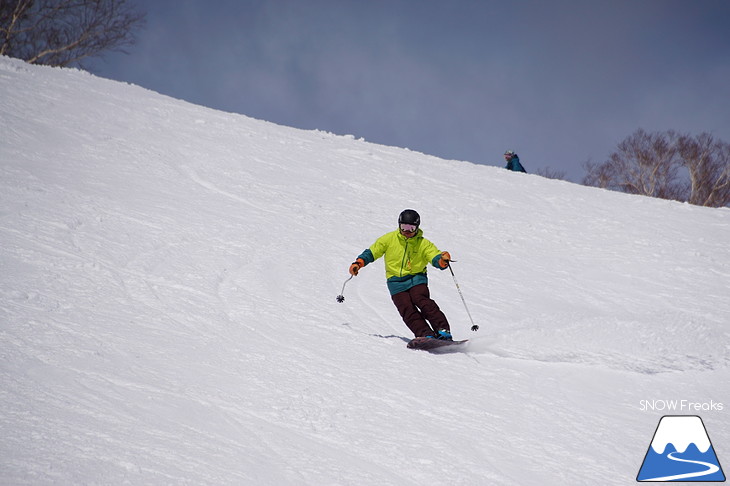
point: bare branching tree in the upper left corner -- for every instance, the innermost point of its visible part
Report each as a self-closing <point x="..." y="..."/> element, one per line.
<point x="63" y="32"/>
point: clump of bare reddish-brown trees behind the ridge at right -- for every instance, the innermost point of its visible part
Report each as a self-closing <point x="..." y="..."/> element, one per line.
<point x="657" y="165"/>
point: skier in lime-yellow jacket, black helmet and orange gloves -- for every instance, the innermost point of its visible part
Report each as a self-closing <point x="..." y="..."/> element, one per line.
<point x="407" y="254"/>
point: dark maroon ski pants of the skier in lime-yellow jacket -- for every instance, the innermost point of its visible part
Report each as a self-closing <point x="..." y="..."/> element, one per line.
<point x="416" y="307"/>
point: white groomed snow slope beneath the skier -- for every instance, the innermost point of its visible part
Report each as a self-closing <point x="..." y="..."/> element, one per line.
<point x="168" y="277"/>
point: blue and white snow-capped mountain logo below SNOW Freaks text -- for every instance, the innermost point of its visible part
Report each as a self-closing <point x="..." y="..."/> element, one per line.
<point x="681" y="451"/>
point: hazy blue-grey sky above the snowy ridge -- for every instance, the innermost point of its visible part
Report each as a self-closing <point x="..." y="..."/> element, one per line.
<point x="559" y="81"/>
